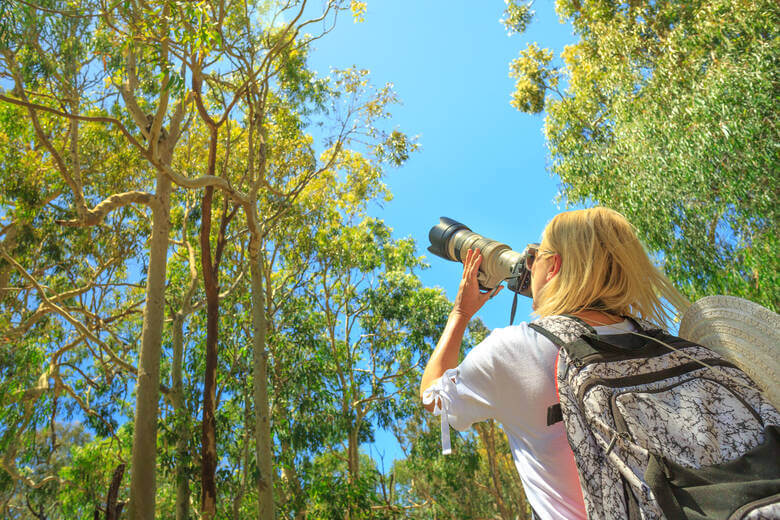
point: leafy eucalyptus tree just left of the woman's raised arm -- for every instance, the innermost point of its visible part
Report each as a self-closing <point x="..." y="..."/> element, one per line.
<point x="376" y="321"/>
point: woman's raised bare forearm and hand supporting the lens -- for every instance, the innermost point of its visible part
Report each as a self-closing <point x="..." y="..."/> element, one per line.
<point x="468" y="301"/>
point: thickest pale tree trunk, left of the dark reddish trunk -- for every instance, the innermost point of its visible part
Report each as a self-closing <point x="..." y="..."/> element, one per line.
<point x="144" y="456"/>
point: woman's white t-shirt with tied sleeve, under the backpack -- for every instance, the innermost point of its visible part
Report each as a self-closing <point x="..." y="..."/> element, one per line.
<point x="510" y="377"/>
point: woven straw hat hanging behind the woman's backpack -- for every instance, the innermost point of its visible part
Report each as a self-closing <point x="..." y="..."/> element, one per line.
<point x="744" y="332"/>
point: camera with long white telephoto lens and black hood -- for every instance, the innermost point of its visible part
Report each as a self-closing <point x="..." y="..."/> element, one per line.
<point x="451" y="239"/>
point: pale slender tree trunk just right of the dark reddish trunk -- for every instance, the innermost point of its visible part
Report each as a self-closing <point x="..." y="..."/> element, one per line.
<point x="263" y="451"/>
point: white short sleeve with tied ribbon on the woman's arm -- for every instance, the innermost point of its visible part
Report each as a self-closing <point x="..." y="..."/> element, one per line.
<point x="465" y="394"/>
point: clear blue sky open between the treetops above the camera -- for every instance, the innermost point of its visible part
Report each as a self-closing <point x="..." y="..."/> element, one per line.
<point x="482" y="162"/>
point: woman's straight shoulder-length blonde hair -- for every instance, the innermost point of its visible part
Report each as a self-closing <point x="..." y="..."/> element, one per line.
<point x="604" y="268"/>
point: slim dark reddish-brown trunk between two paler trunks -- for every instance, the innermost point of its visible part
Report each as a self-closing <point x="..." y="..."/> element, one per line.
<point x="209" y="423"/>
